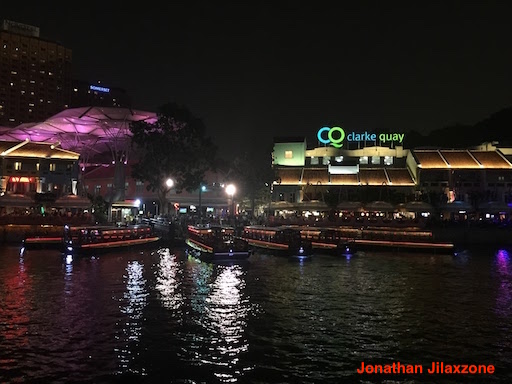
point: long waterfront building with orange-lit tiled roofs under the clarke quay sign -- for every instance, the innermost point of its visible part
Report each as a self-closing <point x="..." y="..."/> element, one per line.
<point x="455" y="183"/>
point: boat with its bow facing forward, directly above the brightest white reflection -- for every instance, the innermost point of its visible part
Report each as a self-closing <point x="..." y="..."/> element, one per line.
<point x="215" y="243"/>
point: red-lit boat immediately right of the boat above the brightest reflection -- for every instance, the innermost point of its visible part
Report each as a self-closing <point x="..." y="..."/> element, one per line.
<point x="282" y="240"/>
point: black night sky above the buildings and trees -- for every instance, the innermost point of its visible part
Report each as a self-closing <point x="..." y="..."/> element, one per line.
<point x="255" y="72"/>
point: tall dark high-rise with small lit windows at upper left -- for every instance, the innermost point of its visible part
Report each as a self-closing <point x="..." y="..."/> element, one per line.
<point x="35" y="75"/>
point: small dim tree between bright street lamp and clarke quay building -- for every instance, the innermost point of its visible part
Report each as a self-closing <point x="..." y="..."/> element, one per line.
<point x="252" y="178"/>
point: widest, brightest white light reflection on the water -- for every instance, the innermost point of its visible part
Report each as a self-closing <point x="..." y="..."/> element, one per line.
<point x="221" y="311"/>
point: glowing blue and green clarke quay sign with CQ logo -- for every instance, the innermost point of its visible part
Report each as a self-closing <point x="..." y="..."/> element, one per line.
<point x="336" y="135"/>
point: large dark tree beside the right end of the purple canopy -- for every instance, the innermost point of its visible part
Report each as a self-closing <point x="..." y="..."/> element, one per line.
<point x="175" y="147"/>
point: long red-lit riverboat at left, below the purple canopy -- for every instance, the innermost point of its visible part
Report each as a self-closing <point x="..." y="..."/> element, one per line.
<point x="91" y="239"/>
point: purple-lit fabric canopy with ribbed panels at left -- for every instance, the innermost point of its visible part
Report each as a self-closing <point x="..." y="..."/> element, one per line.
<point x="86" y="130"/>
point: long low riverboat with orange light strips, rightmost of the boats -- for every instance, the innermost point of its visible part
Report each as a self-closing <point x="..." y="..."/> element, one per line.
<point x="375" y="238"/>
